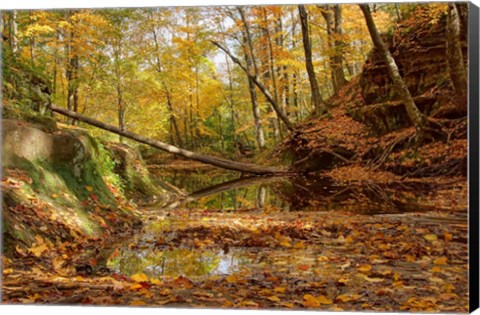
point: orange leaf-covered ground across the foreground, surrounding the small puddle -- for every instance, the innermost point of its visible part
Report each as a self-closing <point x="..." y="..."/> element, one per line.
<point x="316" y="260"/>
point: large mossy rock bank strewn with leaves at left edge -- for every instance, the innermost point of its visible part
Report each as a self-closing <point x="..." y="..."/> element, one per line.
<point x="61" y="186"/>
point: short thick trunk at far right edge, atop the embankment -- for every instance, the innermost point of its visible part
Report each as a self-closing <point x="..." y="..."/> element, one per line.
<point x="457" y="70"/>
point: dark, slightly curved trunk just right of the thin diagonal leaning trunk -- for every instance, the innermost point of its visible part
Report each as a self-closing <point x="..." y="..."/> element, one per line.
<point x="318" y="103"/>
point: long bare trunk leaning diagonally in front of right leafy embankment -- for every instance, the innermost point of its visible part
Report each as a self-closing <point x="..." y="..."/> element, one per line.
<point x="417" y="118"/>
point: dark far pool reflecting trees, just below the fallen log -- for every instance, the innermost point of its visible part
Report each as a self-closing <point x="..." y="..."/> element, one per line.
<point x="296" y="193"/>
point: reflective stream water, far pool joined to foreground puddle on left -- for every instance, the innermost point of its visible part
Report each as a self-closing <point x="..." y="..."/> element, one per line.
<point x="151" y="254"/>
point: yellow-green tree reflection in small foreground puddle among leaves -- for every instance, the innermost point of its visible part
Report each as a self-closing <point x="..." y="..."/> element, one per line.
<point x="171" y="262"/>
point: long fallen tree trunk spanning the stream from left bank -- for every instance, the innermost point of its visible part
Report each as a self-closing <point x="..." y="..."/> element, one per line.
<point x="207" y="159"/>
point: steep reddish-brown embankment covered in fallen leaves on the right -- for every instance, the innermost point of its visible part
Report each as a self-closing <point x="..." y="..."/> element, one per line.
<point x="369" y="126"/>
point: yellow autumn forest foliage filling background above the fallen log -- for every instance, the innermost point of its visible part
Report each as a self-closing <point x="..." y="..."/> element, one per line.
<point x="157" y="72"/>
